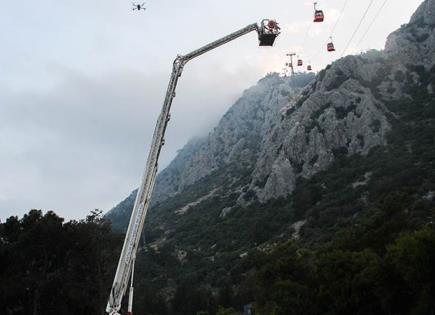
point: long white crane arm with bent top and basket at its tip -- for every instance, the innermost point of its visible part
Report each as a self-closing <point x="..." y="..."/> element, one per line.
<point x="267" y="32"/>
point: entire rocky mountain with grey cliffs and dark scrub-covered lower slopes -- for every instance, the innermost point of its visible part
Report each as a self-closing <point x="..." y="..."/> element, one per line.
<point x="344" y="163"/>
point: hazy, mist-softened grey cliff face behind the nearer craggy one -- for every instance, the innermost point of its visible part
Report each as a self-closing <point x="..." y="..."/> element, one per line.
<point x="236" y="139"/>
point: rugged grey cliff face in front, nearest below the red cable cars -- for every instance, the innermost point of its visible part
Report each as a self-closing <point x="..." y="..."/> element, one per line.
<point x="338" y="114"/>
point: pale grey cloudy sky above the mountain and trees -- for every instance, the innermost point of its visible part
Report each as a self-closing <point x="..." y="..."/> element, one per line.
<point x="82" y="83"/>
